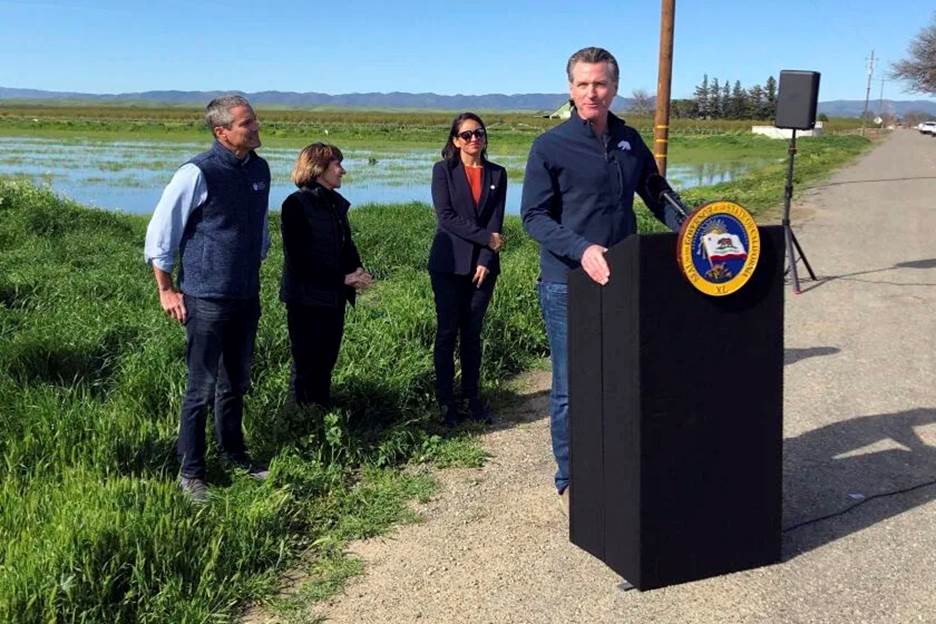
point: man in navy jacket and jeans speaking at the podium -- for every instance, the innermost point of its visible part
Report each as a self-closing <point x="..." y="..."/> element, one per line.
<point x="578" y="195"/>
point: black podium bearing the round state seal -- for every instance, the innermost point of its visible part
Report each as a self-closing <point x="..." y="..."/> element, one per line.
<point x="676" y="416"/>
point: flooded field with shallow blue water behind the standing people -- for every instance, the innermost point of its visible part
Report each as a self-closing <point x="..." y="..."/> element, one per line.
<point x="128" y="176"/>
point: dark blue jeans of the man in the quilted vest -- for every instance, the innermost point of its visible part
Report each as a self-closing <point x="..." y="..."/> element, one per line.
<point x="220" y="347"/>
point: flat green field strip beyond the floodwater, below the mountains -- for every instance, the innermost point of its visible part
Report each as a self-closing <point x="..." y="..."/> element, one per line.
<point x="511" y="132"/>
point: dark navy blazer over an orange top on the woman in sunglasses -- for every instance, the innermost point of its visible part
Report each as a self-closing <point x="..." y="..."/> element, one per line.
<point x="464" y="230"/>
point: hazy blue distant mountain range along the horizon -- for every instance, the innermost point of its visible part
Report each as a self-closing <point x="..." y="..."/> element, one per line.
<point x="398" y="100"/>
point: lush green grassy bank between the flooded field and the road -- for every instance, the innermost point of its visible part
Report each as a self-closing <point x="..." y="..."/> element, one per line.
<point x="92" y="527"/>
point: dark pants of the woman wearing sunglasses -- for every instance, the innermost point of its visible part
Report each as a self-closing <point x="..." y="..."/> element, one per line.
<point x="460" y="308"/>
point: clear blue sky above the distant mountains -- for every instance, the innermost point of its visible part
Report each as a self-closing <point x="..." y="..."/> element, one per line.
<point x="104" y="46"/>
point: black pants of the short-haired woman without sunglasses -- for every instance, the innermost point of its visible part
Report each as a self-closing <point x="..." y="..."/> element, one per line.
<point x="314" y="338"/>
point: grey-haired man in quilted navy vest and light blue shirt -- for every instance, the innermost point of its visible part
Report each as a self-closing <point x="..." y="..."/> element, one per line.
<point x="212" y="219"/>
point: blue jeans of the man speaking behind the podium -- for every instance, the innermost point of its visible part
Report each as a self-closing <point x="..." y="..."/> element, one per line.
<point x="554" y="304"/>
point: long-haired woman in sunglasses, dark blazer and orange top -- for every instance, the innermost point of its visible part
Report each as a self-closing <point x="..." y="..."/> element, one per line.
<point x="468" y="192"/>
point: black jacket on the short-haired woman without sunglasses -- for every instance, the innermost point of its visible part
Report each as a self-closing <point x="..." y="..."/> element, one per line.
<point x="317" y="248"/>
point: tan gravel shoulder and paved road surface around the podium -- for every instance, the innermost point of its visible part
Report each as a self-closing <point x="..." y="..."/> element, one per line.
<point x="860" y="420"/>
